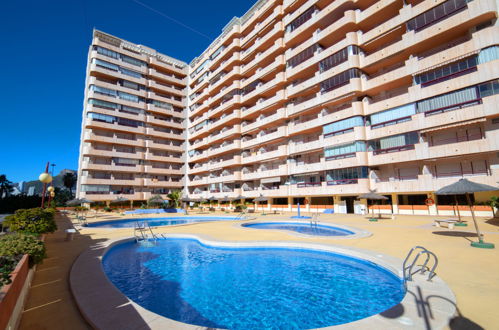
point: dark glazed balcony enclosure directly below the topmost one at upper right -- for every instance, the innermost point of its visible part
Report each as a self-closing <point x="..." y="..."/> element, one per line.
<point x="447" y="72"/>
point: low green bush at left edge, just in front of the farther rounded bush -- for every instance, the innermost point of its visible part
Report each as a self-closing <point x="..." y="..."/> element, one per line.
<point x="17" y="244"/>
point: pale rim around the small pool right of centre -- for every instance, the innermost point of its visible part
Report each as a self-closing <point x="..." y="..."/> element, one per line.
<point x="355" y="232"/>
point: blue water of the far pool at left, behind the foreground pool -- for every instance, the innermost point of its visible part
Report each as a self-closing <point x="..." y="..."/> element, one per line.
<point x="155" y="222"/>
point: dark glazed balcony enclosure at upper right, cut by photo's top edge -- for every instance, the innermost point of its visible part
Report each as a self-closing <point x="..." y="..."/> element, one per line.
<point x="436" y="14"/>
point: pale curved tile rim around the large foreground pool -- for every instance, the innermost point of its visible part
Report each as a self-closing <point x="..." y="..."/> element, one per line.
<point x="105" y="307"/>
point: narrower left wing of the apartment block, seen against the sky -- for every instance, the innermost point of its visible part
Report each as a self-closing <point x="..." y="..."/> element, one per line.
<point x="133" y="137"/>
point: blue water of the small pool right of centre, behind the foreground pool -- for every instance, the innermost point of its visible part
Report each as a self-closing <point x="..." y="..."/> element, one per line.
<point x="302" y="228"/>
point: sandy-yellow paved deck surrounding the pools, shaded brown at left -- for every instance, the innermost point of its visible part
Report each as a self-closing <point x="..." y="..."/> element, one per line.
<point x="472" y="274"/>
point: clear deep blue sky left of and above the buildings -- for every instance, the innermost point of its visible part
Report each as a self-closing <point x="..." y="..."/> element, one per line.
<point x="44" y="47"/>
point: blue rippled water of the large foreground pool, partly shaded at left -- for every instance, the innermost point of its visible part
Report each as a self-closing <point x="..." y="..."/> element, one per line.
<point x="250" y="288"/>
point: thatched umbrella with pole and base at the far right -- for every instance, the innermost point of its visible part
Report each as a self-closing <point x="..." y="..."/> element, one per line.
<point x="467" y="187"/>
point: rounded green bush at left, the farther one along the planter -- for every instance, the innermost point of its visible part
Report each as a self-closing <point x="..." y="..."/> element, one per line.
<point x="32" y="221"/>
